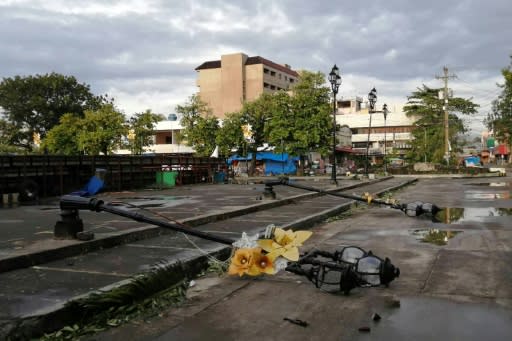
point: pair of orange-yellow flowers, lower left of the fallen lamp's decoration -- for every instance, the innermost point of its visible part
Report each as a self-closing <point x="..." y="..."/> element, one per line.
<point x="251" y="262"/>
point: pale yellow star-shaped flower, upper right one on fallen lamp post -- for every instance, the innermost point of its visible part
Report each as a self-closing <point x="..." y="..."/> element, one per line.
<point x="285" y="244"/>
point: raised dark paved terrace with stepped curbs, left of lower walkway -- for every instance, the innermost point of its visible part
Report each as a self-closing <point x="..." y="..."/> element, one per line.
<point x="40" y="275"/>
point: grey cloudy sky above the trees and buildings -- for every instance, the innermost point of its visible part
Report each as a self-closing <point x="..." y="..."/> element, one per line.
<point x="143" y="52"/>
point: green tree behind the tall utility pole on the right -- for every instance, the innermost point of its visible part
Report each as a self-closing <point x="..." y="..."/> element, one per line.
<point x="428" y="136"/>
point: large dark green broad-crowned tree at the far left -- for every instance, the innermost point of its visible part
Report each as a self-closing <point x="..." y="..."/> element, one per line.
<point x="34" y="104"/>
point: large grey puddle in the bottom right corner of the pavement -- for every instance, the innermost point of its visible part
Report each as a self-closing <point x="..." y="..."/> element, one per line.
<point x="438" y="319"/>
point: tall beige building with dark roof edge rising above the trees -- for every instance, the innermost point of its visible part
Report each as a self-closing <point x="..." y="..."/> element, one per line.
<point x="227" y="83"/>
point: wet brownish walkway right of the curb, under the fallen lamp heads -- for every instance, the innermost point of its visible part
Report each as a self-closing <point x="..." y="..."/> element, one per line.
<point x="460" y="290"/>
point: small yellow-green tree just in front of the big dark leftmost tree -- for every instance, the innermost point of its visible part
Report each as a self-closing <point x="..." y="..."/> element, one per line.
<point x="64" y="137"/>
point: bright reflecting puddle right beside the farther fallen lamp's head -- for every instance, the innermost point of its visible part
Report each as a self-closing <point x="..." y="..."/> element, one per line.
<point x="453" y="215"/>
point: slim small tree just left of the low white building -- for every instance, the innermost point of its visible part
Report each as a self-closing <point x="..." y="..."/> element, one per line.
<point x="142" y="130"/>
